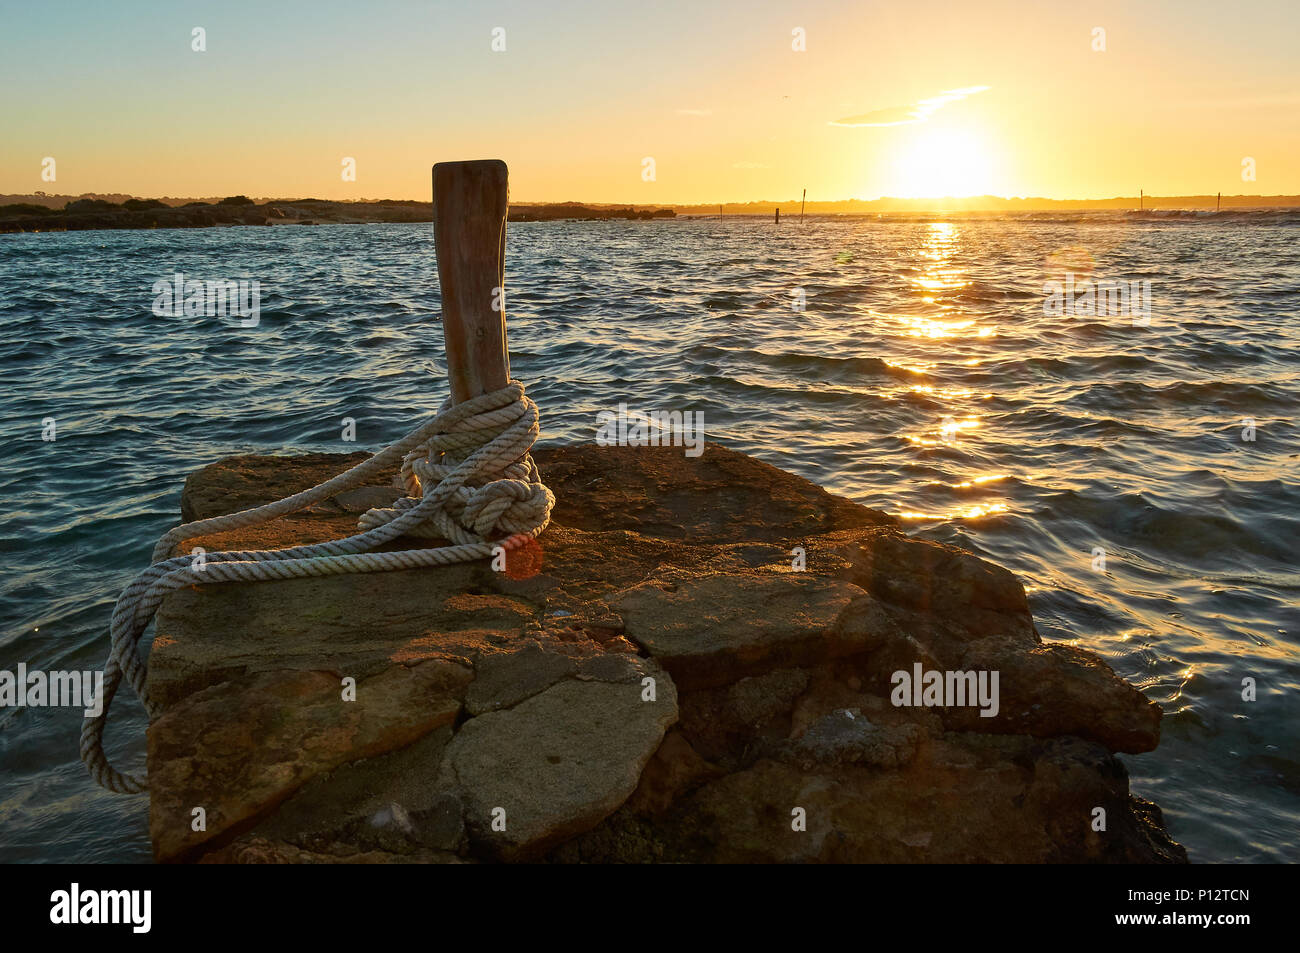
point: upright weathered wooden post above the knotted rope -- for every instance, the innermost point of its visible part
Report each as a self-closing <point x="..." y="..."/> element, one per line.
<point x="470" y="205"/>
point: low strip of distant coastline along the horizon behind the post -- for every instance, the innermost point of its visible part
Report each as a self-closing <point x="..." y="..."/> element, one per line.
<point x="41" y="213"/>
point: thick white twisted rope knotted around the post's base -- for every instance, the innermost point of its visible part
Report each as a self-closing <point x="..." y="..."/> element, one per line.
<point x="469" y="478"/>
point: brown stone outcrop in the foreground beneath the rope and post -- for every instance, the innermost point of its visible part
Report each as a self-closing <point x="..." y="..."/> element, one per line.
<point x="695" y="664"/>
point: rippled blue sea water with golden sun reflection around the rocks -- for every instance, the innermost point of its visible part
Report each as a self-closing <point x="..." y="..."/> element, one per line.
<point x="922" y="378"/>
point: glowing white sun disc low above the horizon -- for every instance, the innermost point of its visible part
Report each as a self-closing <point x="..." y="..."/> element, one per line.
<point x="944" y="163"/>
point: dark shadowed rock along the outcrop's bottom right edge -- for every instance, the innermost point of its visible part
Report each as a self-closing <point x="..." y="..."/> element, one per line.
<point x="974" y="800"/>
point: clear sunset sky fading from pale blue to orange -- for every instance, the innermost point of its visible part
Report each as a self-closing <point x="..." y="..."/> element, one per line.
<point x="917" y="98"/>
